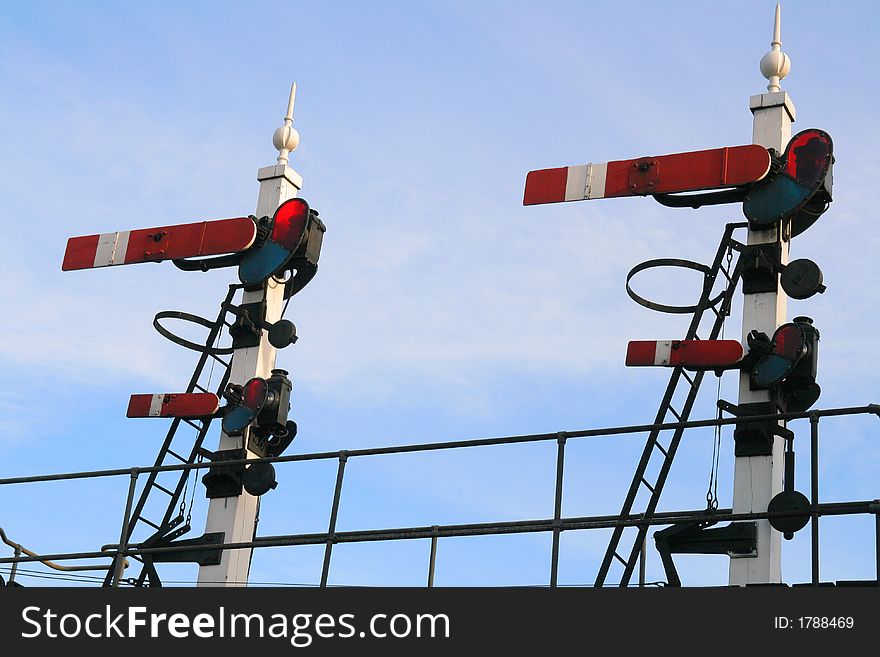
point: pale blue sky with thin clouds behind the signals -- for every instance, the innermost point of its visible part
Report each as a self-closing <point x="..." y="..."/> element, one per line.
<point x="443" y="309"/>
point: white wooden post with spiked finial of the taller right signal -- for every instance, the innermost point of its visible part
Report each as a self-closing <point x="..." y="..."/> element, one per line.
<point x="758" y="478"/>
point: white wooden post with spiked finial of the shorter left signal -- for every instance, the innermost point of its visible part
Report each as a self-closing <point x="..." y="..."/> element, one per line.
<point x="236" y="516"/>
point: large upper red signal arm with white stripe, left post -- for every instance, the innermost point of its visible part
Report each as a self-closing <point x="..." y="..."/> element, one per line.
<point x="204" y="238"/>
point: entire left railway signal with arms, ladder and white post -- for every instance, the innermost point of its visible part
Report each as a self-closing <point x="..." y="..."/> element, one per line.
<point x="276" y="252"/>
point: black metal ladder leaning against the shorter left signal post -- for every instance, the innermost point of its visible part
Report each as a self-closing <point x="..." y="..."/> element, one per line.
<point x="177" y="450"/>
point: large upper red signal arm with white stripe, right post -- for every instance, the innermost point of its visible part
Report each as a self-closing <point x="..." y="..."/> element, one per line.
<point x="663" y="174"/>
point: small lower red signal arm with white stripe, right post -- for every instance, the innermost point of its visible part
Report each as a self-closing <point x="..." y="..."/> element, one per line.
<point x="689" y="354"/>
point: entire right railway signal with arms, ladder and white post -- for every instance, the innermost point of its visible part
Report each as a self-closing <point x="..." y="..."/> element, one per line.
<point x="784" y="185"/>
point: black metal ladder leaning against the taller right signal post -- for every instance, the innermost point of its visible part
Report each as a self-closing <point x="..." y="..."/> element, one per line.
<point x="667" y="414"/>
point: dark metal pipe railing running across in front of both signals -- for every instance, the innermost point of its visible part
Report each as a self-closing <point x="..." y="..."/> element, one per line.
<point x="556" y="525"/>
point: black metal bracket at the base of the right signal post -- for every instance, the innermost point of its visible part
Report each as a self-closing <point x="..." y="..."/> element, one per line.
<point x="738" y="539"/>
